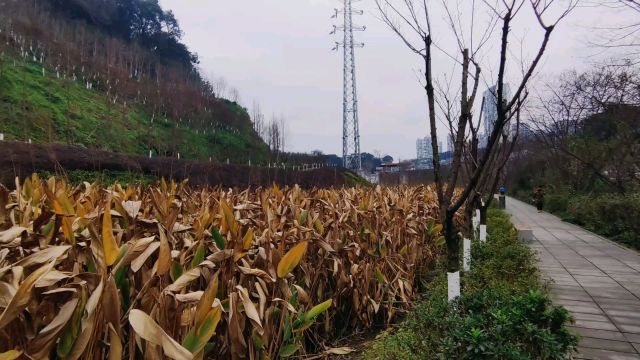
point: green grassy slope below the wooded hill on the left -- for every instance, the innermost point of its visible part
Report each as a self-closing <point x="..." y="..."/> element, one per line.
<point x="51" y="109"/>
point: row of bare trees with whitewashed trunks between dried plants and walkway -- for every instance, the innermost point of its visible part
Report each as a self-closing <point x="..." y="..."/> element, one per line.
<point x="472" y="175"/>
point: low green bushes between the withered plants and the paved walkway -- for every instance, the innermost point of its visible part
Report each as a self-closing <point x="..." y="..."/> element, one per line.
<point x="503" y="312"/>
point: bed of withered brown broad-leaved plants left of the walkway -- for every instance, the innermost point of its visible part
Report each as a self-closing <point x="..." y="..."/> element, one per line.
<point x="181" y="273"/>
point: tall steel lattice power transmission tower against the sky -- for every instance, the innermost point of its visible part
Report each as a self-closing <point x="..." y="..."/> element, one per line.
<point x="350" y="124"/>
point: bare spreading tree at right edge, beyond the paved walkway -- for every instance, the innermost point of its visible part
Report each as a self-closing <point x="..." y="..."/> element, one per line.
<point x="567" y="110"/>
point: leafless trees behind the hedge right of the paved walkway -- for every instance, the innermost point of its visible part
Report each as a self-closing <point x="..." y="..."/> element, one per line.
<point x="589" y="121"/>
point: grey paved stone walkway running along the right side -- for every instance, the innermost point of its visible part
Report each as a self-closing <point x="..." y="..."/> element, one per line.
<point x="594" y="278"/>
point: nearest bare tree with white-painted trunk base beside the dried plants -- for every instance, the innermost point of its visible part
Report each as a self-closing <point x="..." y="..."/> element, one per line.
<point x="411" y="20"/>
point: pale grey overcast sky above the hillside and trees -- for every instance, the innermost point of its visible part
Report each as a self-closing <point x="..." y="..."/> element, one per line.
<point x="278" y="52"/>
